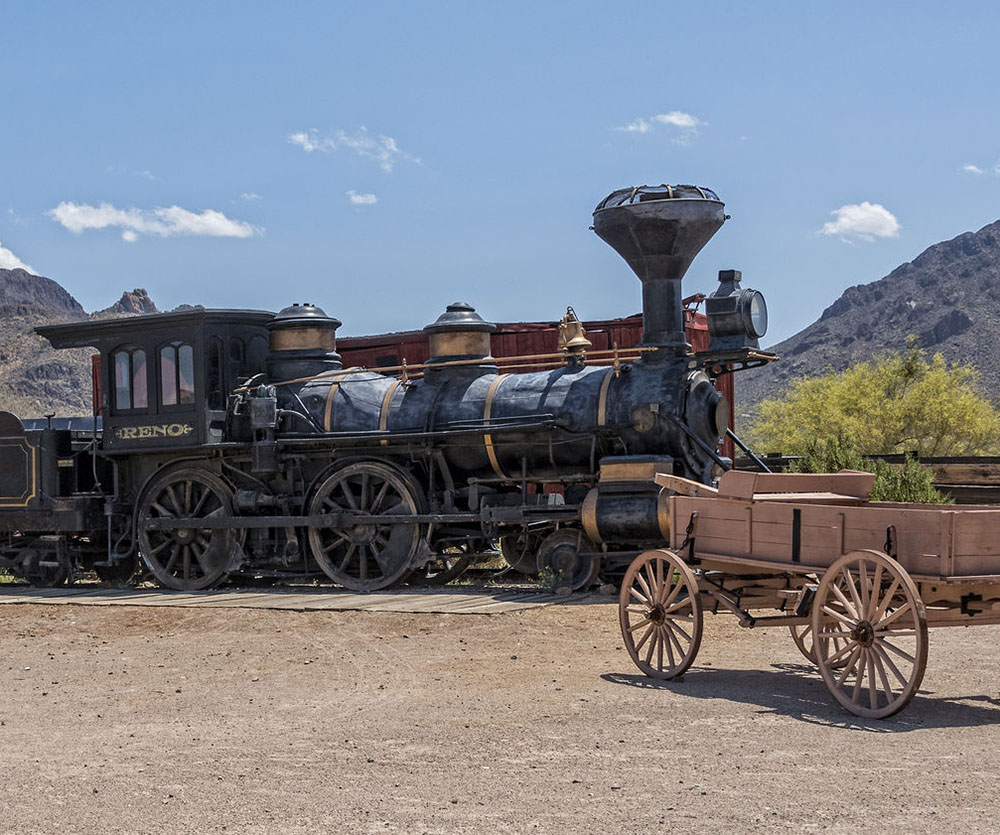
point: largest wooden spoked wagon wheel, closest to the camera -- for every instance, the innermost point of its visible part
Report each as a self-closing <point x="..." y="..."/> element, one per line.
<point x="868" y="601"/>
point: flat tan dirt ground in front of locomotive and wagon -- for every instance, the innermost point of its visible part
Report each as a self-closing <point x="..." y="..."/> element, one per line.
<point x="178" y="721"/>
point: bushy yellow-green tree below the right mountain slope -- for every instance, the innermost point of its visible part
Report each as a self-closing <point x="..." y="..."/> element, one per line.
<point x="899" y="402"/>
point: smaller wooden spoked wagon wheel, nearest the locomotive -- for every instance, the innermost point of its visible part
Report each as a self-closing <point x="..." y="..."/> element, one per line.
<point x="660" y="612"/>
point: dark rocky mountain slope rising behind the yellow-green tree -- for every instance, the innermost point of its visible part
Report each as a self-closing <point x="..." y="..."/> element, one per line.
<point x="948" y="296"/>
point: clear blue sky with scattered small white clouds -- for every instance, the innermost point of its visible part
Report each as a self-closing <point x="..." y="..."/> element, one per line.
<point x="384" y="159"/>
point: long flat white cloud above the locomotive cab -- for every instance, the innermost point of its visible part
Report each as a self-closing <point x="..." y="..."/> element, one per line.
<point x="165" y="223"/>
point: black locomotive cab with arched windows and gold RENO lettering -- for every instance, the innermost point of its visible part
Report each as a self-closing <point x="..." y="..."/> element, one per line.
<point x="163" y="379"/>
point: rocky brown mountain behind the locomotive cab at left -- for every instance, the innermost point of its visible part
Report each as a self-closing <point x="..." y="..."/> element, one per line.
<point x="35" y="379"/>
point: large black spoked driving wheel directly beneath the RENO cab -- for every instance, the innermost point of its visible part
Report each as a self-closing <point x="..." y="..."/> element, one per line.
<point x="186" y="559"/>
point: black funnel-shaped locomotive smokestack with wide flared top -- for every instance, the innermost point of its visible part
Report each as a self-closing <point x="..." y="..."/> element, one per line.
<point x="659" y="230"/>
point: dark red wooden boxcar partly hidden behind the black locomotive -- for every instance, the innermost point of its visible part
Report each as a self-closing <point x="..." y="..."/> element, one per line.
<point x="513" y="339"/>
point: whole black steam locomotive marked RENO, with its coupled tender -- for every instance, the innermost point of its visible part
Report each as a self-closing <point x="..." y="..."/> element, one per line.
<point x="236" y="440"/>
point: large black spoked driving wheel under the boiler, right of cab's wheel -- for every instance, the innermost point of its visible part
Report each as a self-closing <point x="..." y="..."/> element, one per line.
<point x="367" y="556"/>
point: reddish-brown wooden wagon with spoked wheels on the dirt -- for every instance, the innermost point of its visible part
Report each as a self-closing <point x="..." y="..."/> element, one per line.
<point x="857" y="582"/>
